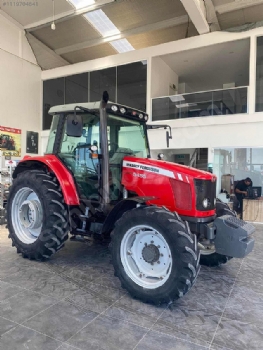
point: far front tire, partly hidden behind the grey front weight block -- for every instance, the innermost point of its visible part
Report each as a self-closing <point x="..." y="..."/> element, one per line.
<point x="216" y="259"/>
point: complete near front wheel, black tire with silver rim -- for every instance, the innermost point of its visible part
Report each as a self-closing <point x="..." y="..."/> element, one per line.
<point x="154" y="255"/>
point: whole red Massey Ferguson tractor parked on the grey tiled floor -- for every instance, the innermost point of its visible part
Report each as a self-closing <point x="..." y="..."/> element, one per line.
<point x="97" y="180"/>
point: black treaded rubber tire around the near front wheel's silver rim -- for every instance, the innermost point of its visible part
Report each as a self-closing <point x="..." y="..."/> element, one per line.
<point x="188" y="258"/>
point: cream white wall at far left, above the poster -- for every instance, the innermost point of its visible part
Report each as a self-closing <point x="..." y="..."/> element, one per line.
<point x="20" y="77"/>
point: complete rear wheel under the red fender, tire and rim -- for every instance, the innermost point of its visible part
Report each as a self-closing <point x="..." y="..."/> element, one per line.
<point x="37" y="216"/>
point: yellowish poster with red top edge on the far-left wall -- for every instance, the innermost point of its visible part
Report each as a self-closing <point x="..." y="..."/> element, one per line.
<point x="10" y="141"/>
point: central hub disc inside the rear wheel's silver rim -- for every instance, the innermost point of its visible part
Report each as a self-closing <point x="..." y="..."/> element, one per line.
<point x="30" y="214"/>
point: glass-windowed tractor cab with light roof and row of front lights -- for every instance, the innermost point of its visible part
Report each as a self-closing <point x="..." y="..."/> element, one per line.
<point x="92" y="141"/>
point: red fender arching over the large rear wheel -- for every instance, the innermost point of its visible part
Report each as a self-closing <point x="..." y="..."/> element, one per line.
<point x="51" y="163"/>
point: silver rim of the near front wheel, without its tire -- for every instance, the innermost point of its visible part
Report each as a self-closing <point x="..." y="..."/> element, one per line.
<point x="146" y="257"/>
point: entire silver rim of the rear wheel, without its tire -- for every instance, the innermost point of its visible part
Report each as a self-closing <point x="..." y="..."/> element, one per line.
<point x="27" y="215"/>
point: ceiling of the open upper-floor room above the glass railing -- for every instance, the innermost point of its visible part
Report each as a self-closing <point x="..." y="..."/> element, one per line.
<point x="210" y="67"/>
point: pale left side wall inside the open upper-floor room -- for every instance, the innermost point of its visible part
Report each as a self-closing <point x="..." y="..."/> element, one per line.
<point x="161" y="78"/>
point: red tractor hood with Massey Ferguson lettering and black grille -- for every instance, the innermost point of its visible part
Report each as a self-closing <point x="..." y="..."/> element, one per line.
<point x="177" y="187"/>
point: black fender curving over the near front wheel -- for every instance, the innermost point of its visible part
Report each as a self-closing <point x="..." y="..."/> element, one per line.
<point x="120" y="209"/>
